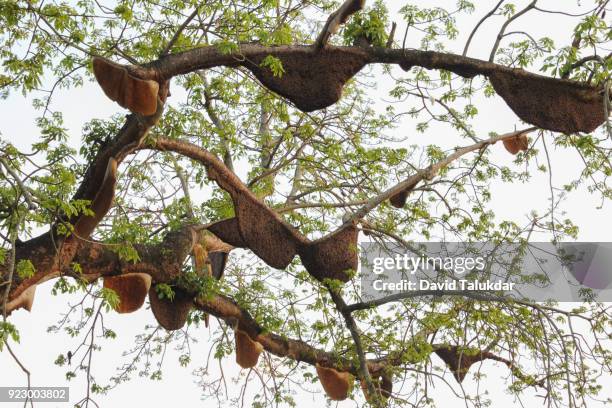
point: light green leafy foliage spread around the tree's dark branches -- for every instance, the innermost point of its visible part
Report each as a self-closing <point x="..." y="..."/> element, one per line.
<point x="312" y="168"/>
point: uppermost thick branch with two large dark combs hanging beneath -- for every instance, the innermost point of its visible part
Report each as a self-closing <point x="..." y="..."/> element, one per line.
<point x="315" y="79"/>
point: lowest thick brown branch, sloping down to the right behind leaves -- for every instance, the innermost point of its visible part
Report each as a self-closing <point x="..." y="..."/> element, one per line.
<point x="163" y="263"/>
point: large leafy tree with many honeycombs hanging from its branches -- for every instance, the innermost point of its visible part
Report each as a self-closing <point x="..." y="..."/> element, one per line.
<point x="272" y="146"/>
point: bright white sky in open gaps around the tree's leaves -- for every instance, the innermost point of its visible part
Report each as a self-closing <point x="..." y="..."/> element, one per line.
<point x="38" y="349"/>
